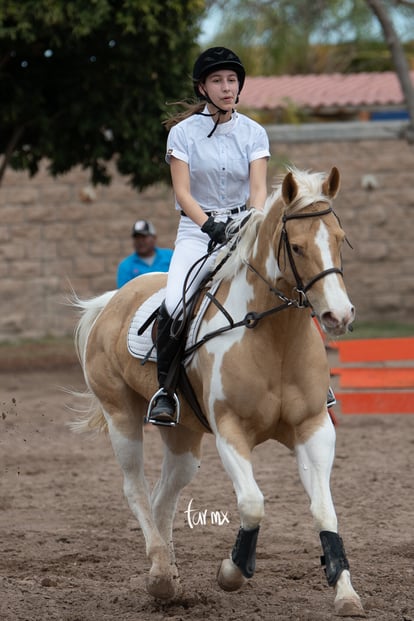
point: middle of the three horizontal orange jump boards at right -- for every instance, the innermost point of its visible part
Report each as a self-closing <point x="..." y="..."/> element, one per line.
<point x="363" y="377"/>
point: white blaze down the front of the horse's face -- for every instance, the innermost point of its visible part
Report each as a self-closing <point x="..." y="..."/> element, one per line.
<point x="336" y="299"/>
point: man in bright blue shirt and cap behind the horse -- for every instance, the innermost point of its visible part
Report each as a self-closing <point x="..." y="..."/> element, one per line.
<point x="147" y="256"/>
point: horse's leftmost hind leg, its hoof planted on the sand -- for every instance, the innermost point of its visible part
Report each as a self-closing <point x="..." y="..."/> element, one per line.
<point x="127" y="444"/>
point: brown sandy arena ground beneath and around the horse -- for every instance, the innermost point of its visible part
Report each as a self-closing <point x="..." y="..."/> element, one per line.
<point x="72" y="551"/>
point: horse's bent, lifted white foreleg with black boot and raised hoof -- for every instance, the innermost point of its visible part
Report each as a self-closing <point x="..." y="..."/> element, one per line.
<point x="235" y="570"/>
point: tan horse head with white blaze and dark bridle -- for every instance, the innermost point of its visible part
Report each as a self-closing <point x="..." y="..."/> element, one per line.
<point x="310" y="238"/>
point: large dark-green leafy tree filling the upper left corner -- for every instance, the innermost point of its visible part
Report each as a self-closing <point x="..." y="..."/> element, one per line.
<point x="83" y="83"/>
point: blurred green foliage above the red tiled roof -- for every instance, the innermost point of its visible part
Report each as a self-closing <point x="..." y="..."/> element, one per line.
<point x="324" y="36"/>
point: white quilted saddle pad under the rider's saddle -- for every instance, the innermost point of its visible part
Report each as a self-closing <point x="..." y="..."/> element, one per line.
<point x="141" y="345"/>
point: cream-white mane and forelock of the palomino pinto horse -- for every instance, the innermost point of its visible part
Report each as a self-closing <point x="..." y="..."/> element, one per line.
<point x="236" y="253"/>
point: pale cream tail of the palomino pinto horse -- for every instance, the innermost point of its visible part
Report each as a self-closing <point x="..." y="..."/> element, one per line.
<point x="92" y="415"/>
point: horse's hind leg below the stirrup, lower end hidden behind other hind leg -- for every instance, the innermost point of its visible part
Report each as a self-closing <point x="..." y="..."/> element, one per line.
<point x="180" y="464"/>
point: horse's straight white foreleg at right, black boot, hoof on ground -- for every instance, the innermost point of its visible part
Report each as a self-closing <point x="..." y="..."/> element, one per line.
<point x="315" y="459"/>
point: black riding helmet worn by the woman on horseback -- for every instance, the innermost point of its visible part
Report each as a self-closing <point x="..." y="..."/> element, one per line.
<point x="216" y="58"/>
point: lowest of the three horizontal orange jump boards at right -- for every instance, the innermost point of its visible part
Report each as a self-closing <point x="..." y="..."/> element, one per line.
<point x="376" y="402"/>
